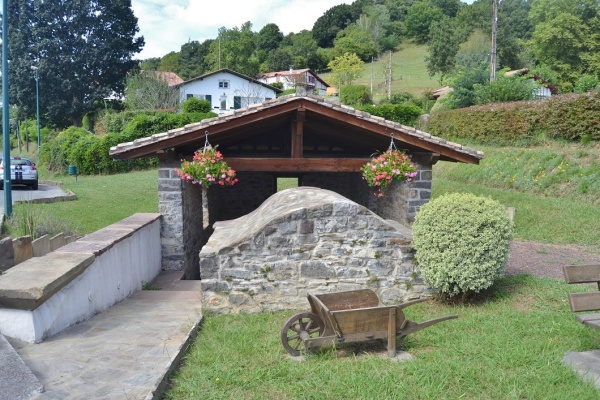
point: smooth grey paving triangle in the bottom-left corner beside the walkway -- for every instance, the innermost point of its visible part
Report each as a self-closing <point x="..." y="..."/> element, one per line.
<point x="16" y="379"/>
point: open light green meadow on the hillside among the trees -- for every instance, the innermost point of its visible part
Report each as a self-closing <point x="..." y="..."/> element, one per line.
<point x="409" y="72"/>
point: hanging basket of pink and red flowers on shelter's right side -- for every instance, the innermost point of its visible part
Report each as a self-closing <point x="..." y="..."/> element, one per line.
<point x="392" y="166"/>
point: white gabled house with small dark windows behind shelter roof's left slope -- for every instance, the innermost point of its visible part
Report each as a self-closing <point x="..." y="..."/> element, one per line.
<point x="227" y="90"/>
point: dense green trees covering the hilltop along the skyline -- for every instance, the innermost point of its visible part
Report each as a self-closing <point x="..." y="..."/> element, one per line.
<point x="560" y="38"/>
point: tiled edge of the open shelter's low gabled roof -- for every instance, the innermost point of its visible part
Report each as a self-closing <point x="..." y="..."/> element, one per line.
<point x="228" y="116"/>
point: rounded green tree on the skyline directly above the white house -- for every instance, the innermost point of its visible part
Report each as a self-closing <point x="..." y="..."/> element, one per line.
<point x="234" y="49"/>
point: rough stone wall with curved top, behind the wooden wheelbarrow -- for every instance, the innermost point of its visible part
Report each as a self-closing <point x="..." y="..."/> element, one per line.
<point x="305" y="240"/>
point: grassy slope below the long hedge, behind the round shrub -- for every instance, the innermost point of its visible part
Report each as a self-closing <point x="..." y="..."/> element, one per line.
<point x="553" y="211"/>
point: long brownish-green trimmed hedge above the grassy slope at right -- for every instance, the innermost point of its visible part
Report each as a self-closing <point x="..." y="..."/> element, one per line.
<point x="573" y="117"/>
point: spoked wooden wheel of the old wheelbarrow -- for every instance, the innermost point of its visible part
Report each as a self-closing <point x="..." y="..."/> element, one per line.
<point x="298" y="328"/>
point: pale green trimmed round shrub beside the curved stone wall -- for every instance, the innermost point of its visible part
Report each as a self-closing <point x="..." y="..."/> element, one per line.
<point x="461" y="242"/>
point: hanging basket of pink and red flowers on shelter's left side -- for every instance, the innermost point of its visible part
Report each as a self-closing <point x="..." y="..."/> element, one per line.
<point x="207" y="168"/>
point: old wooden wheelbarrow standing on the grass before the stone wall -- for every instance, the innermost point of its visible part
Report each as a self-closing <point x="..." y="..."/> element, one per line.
<point x="346" y="317"/>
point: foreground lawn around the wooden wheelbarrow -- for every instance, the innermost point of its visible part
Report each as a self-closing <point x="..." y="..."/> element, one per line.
<point x="508" y="344"/>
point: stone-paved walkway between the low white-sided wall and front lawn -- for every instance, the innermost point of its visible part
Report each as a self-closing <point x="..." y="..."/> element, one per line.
<point x="125" y="352"/>
